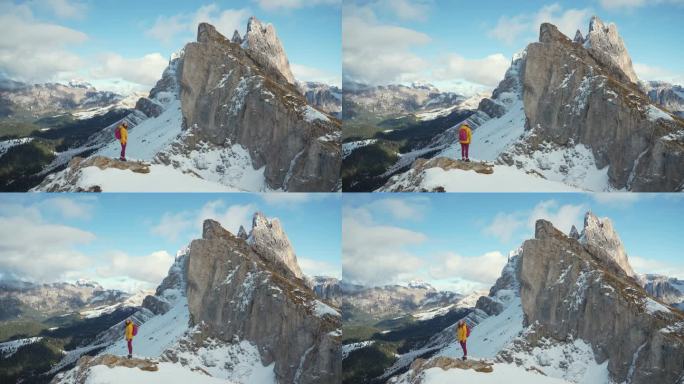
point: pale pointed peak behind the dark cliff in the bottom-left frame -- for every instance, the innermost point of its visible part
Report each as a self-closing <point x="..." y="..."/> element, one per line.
<point x="270" y="241"/>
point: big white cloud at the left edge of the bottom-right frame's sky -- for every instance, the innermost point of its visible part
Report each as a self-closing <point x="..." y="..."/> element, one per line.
<point x="374" y="254"/>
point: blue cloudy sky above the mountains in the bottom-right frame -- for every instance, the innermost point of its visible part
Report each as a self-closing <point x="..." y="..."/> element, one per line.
<point x="461" y="241"/>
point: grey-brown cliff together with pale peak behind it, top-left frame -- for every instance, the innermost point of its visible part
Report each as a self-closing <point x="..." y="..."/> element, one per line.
<point x="232" y="95"/>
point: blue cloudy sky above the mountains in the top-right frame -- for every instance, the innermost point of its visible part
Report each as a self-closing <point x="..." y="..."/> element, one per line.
<point x="467" y="45"/>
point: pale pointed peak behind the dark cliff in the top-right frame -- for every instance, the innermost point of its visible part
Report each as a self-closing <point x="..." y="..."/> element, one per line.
<point x="605" y="44"/>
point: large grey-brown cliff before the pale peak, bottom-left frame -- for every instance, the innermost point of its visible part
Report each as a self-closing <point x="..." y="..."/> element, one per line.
<point x="234" y="292"/>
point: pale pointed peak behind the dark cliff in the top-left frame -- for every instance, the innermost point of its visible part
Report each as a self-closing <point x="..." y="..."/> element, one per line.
<point x="263" y="43"/>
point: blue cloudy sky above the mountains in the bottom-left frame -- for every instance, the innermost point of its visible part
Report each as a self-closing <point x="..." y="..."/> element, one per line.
<point x="128" y="241"/>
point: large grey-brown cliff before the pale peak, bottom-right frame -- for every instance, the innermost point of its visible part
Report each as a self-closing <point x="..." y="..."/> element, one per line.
<point x="566" y="289"/>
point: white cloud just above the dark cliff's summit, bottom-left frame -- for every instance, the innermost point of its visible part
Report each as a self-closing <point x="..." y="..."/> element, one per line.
<point x="174" y="225"/>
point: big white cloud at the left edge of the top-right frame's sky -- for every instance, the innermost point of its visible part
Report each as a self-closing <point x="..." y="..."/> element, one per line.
<point x="377" y="53"/>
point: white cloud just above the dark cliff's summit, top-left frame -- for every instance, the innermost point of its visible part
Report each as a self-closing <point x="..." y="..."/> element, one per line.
<point x="167" y="28"/>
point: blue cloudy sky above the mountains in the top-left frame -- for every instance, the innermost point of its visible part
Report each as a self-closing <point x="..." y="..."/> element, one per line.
<point x="125" y="45"/>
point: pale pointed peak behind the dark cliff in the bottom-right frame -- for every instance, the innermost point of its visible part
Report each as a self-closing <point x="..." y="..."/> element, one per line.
<point x="600" y="234"/>
